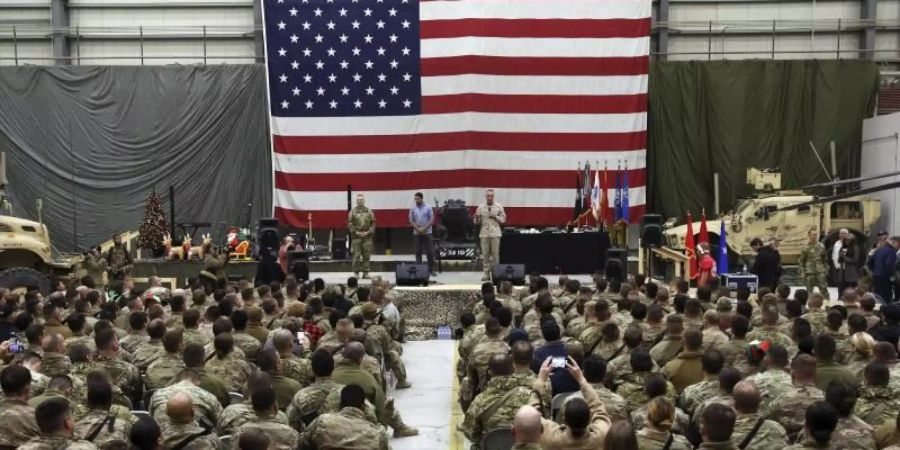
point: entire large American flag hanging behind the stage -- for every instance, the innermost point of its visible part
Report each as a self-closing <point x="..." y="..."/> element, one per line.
<point x="450" y="97"/>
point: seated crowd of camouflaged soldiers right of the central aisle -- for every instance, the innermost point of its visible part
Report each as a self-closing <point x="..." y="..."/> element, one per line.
<point x="641" y="365"/>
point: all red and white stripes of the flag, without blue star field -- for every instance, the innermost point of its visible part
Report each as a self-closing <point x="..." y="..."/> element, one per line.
<point x="515" y="93"/>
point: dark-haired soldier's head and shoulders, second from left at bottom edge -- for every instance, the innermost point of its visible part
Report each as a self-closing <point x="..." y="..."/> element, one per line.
<point x="56" y="425"/>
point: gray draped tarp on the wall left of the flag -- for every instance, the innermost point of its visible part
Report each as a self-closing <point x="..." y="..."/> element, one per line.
<point x="92" y="142"/>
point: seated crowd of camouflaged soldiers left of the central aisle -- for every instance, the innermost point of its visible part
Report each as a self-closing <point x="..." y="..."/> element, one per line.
<point x="292" y="366"/>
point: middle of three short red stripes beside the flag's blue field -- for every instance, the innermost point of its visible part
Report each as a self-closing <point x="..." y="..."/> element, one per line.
<point x="505" y="65"/>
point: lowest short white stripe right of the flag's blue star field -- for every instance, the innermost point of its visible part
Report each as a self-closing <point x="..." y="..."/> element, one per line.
<point x="534" y="85"/>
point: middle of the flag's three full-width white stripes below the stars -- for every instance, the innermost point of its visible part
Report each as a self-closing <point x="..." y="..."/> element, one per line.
<point x="453" y="160"/>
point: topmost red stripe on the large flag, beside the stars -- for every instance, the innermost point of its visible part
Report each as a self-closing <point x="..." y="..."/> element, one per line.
<point x="535" y="28"/>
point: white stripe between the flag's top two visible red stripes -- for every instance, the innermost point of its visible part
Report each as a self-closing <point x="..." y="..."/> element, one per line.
<point x="536" y="47"/>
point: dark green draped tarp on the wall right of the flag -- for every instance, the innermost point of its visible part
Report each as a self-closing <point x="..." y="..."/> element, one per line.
<point x="721" y="117"/>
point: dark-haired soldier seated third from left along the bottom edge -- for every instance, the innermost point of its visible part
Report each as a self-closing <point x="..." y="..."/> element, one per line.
<point x="106" y="425"/>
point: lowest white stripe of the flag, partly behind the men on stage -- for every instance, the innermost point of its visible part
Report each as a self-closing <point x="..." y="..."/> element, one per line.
<point x="518" y="197"/>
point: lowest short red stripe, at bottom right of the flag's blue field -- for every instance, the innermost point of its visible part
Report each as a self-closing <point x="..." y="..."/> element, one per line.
<point x="541" y="104"/>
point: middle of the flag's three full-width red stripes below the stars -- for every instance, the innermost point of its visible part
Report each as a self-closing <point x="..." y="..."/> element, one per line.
<point x="437" y="179"/>
